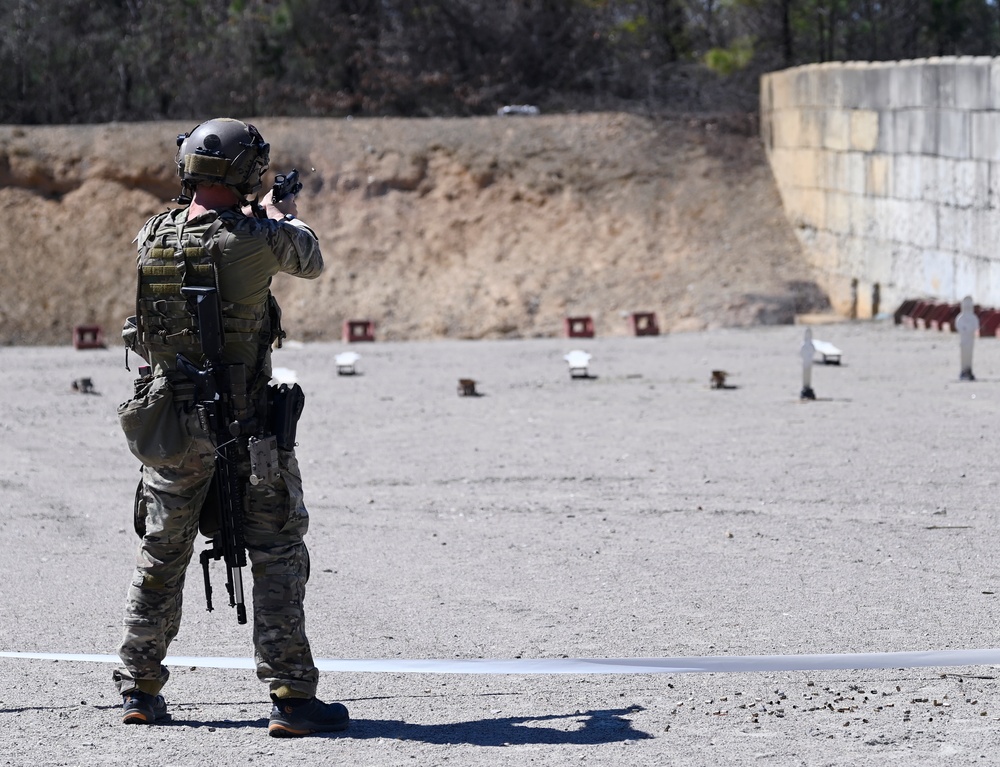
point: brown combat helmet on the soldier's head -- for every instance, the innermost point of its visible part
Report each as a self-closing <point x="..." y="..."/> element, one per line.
<point x="223" y="151"/>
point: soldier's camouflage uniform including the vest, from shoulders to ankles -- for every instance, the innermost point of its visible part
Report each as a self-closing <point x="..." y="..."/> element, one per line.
<point x="247" y="253"/>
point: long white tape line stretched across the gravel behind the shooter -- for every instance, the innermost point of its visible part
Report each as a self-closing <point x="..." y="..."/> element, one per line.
<point x="717" y="664"/>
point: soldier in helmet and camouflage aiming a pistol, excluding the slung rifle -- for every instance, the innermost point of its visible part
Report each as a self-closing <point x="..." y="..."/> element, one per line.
<point x="216" y="241"/>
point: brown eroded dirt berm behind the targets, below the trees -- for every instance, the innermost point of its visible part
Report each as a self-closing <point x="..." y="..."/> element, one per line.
<point x="465" y="228"/>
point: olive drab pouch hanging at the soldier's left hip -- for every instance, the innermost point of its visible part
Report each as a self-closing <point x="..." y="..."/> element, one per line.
<point x="153" y="423"/>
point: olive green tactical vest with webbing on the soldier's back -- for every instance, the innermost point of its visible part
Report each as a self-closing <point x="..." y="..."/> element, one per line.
<point x="172" y="255"/>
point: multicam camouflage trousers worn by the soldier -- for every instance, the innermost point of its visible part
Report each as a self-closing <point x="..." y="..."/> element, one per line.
<point x="274" y="525"/>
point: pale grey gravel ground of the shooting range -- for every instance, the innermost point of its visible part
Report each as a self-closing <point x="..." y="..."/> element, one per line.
<point x="637" y="513"/>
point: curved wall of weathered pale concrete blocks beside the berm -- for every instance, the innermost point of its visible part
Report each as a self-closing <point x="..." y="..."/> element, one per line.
<point x="890" y="174"/>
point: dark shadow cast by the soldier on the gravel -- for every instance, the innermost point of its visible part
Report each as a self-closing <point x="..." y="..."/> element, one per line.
<point x="584" y="728"/>
